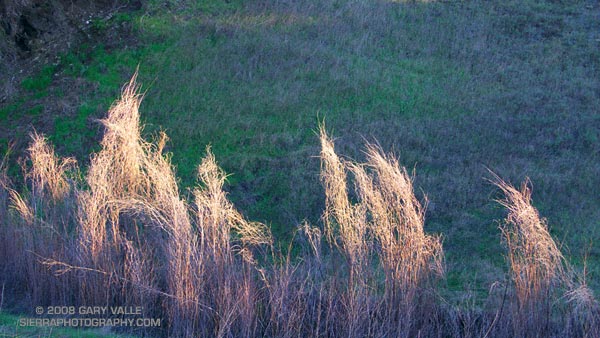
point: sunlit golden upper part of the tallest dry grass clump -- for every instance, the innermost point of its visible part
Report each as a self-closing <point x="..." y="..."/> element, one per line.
<point x="115" y="174"/>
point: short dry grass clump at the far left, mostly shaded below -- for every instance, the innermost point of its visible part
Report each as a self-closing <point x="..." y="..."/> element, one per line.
<point x="39" y="224"/>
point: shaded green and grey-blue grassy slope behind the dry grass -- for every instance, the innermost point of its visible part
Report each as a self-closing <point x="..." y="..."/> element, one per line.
<point x="452" y="88"/>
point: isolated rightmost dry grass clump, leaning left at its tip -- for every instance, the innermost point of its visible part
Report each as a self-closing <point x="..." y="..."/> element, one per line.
<point x="537" y="265"/>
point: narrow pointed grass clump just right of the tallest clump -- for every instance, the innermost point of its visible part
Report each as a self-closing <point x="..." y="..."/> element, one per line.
<point x="222" y="257"/>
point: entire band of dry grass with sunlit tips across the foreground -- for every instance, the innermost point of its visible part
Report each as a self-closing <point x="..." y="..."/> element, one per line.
<point x="124" y="235"/>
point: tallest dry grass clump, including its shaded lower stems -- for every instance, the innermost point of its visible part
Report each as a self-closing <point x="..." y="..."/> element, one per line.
<point x="119" y="183"/>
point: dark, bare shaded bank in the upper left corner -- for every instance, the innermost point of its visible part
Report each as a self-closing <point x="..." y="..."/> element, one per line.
<point x="35" y="32"/>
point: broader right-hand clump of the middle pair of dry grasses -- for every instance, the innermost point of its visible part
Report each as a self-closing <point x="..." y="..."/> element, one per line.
<point x="409" y="257"/>
